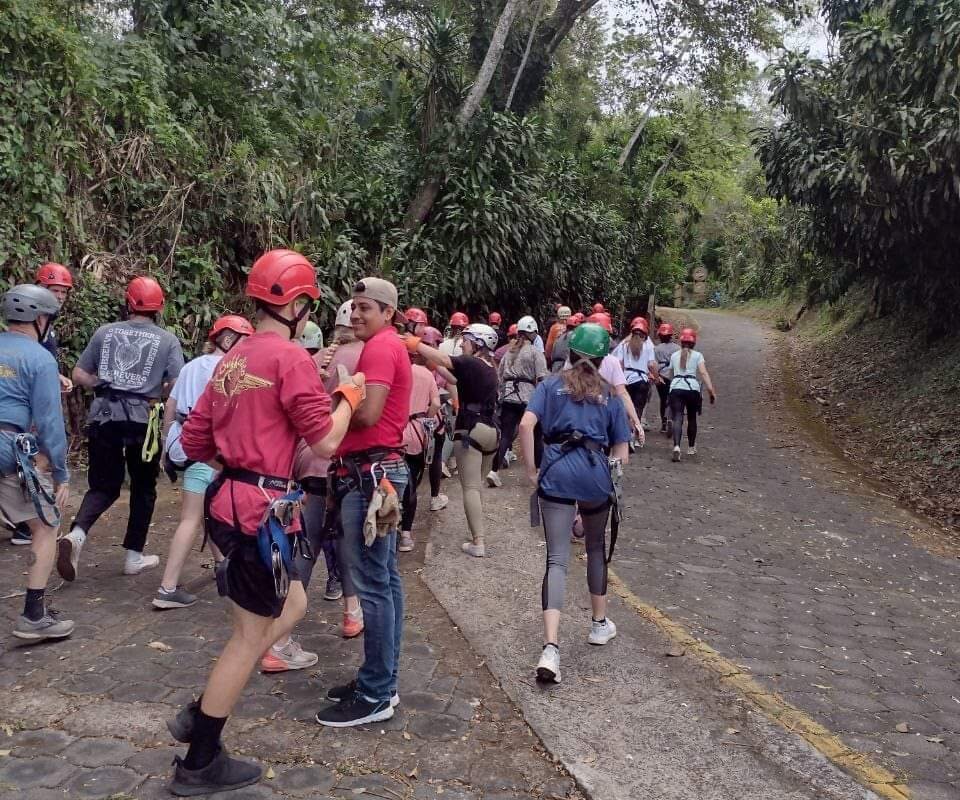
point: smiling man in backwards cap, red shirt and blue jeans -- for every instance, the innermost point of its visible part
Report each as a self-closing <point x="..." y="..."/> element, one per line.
<point x="370" y="460"/>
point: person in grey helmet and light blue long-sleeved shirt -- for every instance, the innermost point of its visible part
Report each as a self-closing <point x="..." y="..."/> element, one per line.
<point x="30" y="401"/>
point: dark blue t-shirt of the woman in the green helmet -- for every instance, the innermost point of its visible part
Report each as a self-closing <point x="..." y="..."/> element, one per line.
<point x="578" y="474"/>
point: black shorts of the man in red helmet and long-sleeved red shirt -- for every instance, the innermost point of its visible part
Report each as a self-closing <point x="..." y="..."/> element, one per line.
<point x="246" y="580"/>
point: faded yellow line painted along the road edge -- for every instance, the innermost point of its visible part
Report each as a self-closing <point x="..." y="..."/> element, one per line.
<point x="857" y="764"/>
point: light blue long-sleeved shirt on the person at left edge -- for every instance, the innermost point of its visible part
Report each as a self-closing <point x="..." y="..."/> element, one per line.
<point x="30" y="397"/>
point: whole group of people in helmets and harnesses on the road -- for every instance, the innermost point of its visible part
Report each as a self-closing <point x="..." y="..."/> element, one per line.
<point x="286" y="449"/>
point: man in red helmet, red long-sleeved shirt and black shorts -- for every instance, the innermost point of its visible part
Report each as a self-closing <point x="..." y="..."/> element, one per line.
<point x="264" y="396"/>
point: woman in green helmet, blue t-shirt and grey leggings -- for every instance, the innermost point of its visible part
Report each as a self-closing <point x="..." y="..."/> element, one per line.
<point x="586" y="437"/>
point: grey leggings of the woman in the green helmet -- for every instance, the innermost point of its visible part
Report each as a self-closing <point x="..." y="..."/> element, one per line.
<point x="557" y="526"/>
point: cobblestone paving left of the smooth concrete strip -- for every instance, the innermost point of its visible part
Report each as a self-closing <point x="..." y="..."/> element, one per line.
<point x="84" y="718"/>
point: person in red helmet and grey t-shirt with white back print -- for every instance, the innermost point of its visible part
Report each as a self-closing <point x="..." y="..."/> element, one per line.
<point x="127" y="364"/>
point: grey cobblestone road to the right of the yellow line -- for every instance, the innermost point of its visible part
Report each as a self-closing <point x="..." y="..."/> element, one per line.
<point x="775" y="554"/>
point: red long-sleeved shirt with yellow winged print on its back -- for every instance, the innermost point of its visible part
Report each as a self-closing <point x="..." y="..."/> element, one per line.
<point x="264" y="396"/>
